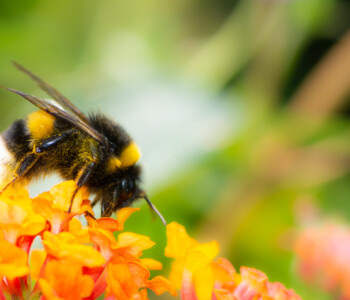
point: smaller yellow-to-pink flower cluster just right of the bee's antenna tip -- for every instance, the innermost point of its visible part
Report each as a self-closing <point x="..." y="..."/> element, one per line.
<point x="199" y="277"/>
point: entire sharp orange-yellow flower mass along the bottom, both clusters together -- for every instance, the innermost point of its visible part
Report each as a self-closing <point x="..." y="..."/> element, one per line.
<point x="100" y="261"/>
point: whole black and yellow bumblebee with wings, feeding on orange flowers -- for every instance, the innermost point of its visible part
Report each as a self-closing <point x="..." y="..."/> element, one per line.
<point x="92" y="150"/>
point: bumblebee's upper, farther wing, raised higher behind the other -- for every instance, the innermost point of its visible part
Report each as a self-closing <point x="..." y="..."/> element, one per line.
<point x="51" y="91"/>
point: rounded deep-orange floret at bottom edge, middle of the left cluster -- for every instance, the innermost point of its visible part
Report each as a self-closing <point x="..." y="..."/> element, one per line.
<point x="65" y="281"/>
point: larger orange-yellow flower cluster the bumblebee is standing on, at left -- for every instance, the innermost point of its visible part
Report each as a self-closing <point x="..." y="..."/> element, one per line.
<point x="76" y="262"/>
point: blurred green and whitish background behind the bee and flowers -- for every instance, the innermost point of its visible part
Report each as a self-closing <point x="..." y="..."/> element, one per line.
<point x="241" y="109"/>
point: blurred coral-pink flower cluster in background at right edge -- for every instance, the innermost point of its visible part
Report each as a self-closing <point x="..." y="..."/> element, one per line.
<point x="323" y="257"/>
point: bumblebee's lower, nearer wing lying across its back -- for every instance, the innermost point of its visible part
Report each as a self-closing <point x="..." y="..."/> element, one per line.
<point x="62" y="114"/>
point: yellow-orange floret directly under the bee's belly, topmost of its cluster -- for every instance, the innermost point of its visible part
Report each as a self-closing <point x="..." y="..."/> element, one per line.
<point x="54" y="205"/>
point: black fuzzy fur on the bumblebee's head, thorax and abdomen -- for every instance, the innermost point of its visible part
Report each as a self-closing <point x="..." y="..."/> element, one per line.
<point x="71" y="155"/>
